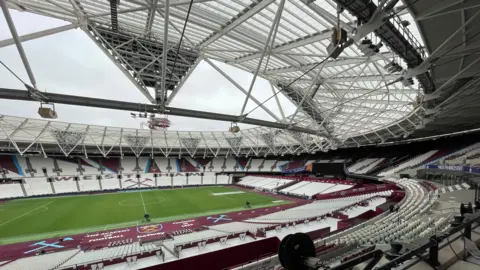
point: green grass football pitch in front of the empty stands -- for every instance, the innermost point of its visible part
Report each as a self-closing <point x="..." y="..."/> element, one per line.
<point x="31" y="219"/>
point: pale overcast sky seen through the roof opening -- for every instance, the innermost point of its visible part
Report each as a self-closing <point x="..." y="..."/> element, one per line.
<point x="70" y="63"/>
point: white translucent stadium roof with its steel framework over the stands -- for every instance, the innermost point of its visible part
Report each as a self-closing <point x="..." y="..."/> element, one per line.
<point x="354" y="99"/>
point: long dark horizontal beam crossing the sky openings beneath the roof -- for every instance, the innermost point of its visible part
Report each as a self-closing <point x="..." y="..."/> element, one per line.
<point x="130" y="106"/>
